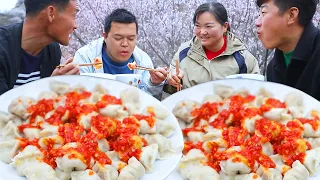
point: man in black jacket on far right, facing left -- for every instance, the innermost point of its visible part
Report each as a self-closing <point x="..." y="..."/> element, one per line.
<point x="287" y="26"/>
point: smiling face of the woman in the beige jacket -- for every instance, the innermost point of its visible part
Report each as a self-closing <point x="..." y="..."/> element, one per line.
<point x="208" y="30"/>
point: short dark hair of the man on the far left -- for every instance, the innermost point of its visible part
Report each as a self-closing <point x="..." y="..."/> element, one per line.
<point x="33" y="7"/>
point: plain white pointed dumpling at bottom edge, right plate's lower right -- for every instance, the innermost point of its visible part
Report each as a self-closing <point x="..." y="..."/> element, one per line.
<point x="298" y="172"/>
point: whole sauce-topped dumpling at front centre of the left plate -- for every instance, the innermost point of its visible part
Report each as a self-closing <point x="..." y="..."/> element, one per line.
<point x="67" y="165"/>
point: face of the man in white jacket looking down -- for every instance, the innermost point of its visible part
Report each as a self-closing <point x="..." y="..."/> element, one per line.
<point x="121" y="41"/>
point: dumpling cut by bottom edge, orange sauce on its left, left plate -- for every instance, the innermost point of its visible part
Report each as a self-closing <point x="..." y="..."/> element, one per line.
<point x="106" y="172"/>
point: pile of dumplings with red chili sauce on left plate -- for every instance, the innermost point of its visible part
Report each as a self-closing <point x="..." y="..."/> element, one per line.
<point x="25" y="141"/>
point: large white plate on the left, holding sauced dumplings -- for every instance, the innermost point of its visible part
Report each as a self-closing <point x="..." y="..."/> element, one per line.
<point x="161" y="168"/>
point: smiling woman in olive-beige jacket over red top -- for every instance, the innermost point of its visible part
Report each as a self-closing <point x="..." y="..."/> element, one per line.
<point x="213" y="53"/>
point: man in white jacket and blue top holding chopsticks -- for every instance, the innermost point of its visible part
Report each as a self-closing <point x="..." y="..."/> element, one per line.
<point x="117" y="49"/>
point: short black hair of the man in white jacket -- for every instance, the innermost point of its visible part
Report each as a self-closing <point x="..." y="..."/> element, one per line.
<point x="119" y="16"/>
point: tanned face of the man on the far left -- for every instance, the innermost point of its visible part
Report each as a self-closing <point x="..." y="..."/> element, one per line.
<point x="63" y="23"/>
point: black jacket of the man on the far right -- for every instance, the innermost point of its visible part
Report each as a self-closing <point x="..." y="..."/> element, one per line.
<point x="303" y="72"/>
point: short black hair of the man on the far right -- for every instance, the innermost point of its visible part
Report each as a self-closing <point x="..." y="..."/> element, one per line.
<point x="307" y="8"/>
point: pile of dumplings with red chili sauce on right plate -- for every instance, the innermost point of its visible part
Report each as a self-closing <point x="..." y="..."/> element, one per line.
<point x="281" y="132"/>
